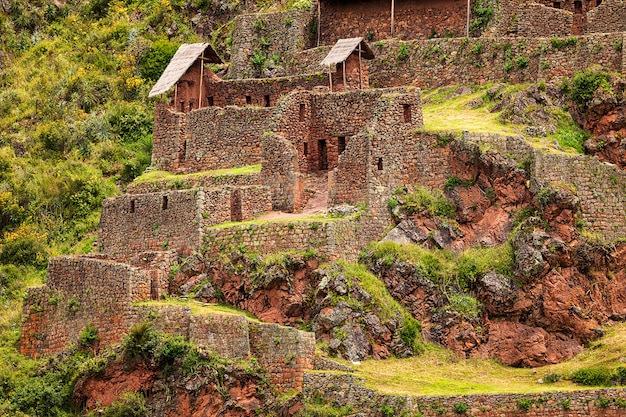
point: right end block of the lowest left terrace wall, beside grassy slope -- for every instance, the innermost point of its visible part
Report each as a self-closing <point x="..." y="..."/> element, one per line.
<point x="284" y="352"/>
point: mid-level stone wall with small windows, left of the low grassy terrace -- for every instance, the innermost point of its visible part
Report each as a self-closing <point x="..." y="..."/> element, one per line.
<point x="174" y="219"/>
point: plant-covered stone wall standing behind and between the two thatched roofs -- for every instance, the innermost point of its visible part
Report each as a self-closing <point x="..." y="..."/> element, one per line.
<point x="265" y="43"/>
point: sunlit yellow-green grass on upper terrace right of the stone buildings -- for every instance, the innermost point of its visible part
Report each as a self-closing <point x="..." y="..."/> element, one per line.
<point x="442" y="114"/>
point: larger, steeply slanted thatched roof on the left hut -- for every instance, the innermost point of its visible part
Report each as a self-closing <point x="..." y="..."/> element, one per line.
<point x="184" y="58"/>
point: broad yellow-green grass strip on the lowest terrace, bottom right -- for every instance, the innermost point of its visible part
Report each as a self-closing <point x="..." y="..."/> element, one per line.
<point x="437" y="371"/>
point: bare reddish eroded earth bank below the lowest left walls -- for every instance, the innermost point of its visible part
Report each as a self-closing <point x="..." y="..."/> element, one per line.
<point x="231" y="392"/>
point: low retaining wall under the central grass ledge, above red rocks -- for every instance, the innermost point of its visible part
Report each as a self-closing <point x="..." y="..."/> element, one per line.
<point x="335" y="238"/>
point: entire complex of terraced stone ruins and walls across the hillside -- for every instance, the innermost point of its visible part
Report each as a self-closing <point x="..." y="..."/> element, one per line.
<point x="356" y="143"/>
